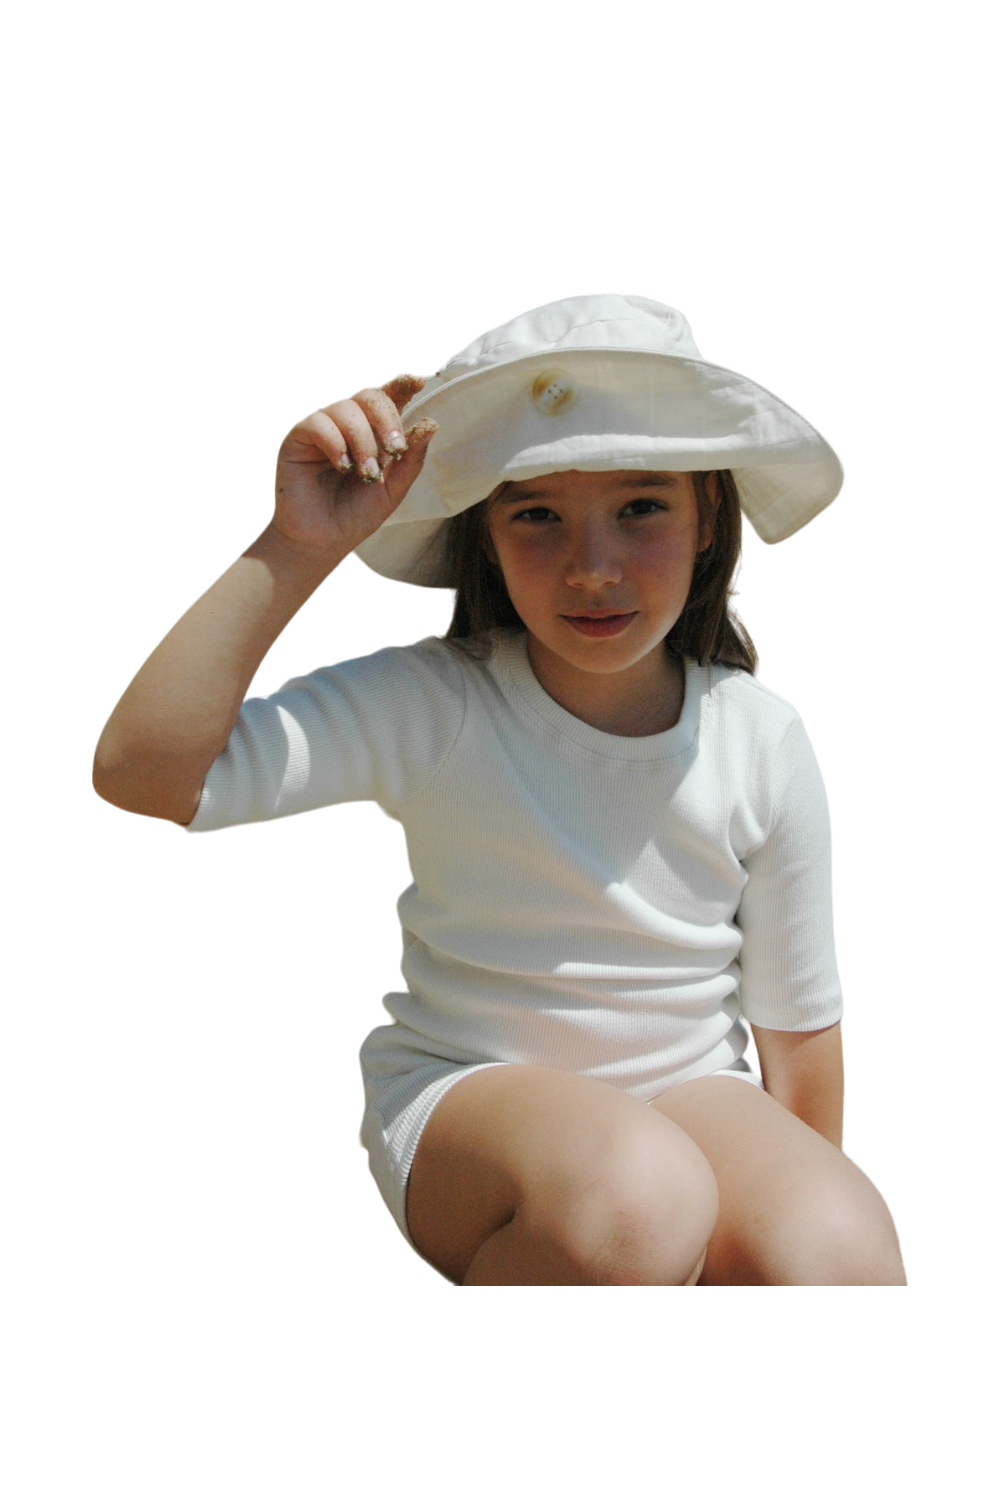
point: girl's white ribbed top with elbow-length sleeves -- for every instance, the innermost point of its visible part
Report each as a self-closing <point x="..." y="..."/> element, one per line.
<point x="602" y="905"/>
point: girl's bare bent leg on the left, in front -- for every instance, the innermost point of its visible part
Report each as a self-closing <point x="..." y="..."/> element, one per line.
<point x="535" y="1177"/>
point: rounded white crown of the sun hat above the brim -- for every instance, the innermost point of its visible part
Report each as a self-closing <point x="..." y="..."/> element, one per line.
<point x="613" y="321"/>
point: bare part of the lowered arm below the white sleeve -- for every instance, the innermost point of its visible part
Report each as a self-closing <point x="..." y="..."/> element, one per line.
<point x="805" y="1073"/>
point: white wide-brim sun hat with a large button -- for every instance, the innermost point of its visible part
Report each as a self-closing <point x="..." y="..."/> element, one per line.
<point x="596" y="383"/>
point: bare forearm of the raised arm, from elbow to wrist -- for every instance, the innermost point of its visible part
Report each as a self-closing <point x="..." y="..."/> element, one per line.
<point x="180" y="709"/>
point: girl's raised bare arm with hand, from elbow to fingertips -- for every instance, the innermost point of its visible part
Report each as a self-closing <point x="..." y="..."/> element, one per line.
<point x="339" y="475"/>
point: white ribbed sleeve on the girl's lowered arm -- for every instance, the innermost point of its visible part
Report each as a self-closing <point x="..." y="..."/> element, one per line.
<point x="789" y="959"/>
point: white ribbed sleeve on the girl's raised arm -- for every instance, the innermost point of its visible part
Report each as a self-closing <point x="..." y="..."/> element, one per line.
<point x="369" y="730"/>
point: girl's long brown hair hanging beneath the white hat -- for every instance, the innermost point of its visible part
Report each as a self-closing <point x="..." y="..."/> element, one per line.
<point x="711" y="629"/>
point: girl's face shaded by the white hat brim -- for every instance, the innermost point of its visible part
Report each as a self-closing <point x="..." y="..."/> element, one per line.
<point x="599" y="568"/>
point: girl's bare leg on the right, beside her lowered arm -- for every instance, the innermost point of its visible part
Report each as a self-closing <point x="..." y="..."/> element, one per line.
<point x="793" y="1210"/>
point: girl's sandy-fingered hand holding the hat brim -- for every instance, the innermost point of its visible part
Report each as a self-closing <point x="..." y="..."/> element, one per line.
<point x="345" y="468"/>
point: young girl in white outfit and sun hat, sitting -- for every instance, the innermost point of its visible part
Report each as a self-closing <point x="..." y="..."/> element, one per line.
<point x="619" y="838"/>
